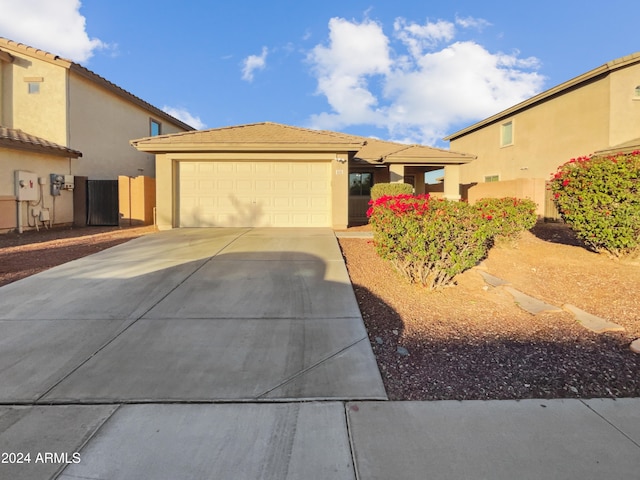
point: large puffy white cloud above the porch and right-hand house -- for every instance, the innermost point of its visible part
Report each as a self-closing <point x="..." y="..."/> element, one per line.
<point x="420" y="88"/>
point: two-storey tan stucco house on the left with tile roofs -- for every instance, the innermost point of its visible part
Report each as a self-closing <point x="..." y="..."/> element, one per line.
<point x="57" y="117"/>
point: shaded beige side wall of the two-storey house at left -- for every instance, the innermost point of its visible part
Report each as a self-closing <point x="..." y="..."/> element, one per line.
<point x="102" y="124"/>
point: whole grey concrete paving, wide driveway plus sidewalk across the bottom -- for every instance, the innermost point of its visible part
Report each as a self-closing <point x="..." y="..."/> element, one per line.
<point x="241" y="353"/>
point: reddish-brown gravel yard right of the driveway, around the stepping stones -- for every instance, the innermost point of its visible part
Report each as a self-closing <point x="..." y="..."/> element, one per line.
<point x="472" y="341"/>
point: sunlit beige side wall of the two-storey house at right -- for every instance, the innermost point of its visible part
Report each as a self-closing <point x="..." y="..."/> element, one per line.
<point x="545" y="136"/>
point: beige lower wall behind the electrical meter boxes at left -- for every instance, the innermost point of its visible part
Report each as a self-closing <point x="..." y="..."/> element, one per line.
<point x="60" y="209"/>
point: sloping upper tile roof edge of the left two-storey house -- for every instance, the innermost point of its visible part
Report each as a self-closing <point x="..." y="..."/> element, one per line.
<point x="94" y="77"/>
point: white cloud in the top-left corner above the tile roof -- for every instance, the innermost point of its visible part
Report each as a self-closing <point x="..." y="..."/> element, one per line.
<point x="57" y="27"/>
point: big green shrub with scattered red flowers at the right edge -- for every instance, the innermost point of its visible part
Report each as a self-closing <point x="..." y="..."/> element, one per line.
<point x="599" y="197"/>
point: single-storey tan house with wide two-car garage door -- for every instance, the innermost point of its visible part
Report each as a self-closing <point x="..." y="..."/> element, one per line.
<point x="269" y="174"/>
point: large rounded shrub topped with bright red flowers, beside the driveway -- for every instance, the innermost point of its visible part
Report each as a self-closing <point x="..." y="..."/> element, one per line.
<point x="429" y="241"/>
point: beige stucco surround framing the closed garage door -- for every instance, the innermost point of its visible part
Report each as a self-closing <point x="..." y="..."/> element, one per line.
<point x="167" y="168"/>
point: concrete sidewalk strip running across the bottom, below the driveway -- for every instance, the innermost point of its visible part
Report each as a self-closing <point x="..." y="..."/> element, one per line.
<point x="529" y="439"/>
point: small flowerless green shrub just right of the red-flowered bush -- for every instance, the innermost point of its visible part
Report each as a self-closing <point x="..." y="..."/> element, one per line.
<point x="508" y="217"/>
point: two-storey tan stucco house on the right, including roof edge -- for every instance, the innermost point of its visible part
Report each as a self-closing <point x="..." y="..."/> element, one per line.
<point x="519" y="148"/>
